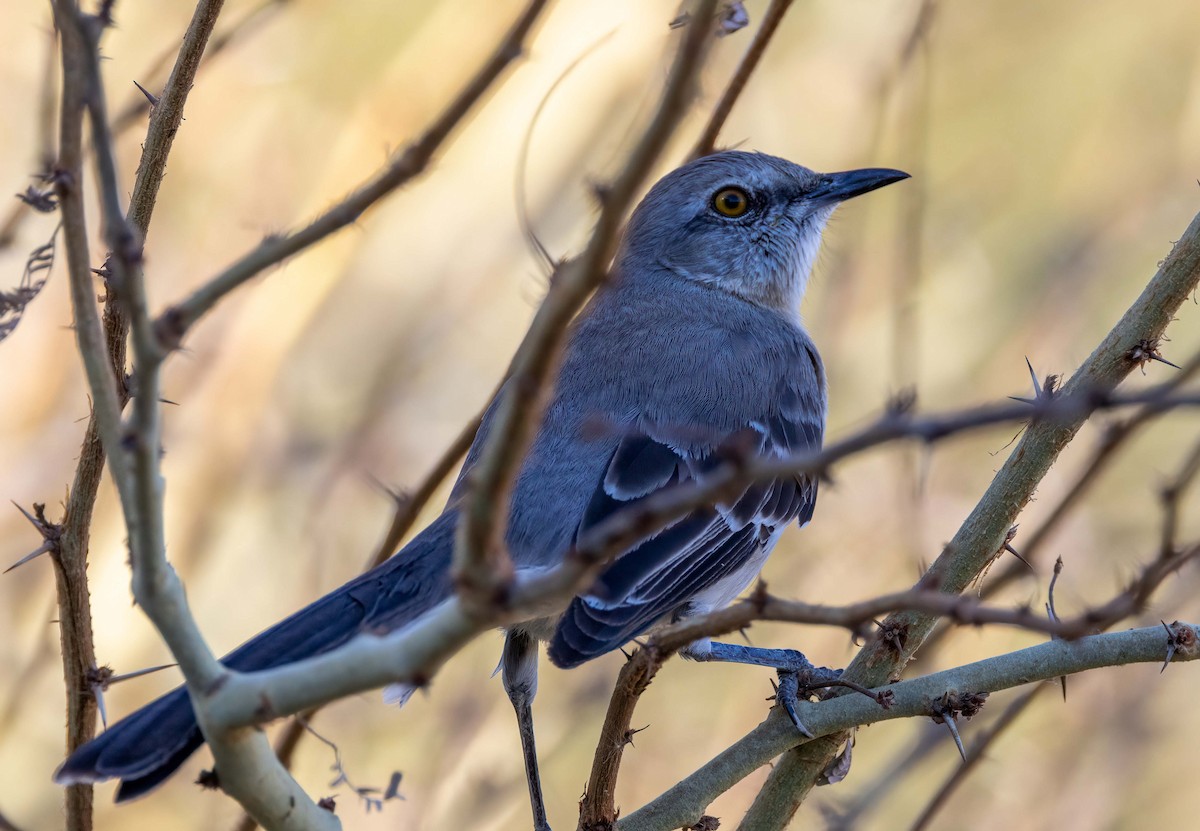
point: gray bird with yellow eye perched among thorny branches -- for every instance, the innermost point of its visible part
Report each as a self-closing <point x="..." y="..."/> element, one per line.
<point x="693" y="350"/>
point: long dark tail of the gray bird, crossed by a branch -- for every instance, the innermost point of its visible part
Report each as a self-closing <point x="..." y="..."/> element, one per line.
<point x="148" y="746"/>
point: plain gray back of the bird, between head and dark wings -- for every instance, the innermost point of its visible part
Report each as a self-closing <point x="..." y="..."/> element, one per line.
<point x="653" y="352"/>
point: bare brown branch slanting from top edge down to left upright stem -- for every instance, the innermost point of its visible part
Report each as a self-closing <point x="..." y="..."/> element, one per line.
<point x="177" y="320"/>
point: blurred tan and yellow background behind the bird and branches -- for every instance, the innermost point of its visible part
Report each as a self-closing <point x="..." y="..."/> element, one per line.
<point x="1055" y="151"/>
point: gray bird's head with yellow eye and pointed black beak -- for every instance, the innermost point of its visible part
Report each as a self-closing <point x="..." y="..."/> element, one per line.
<point x="743" y="223"/>
